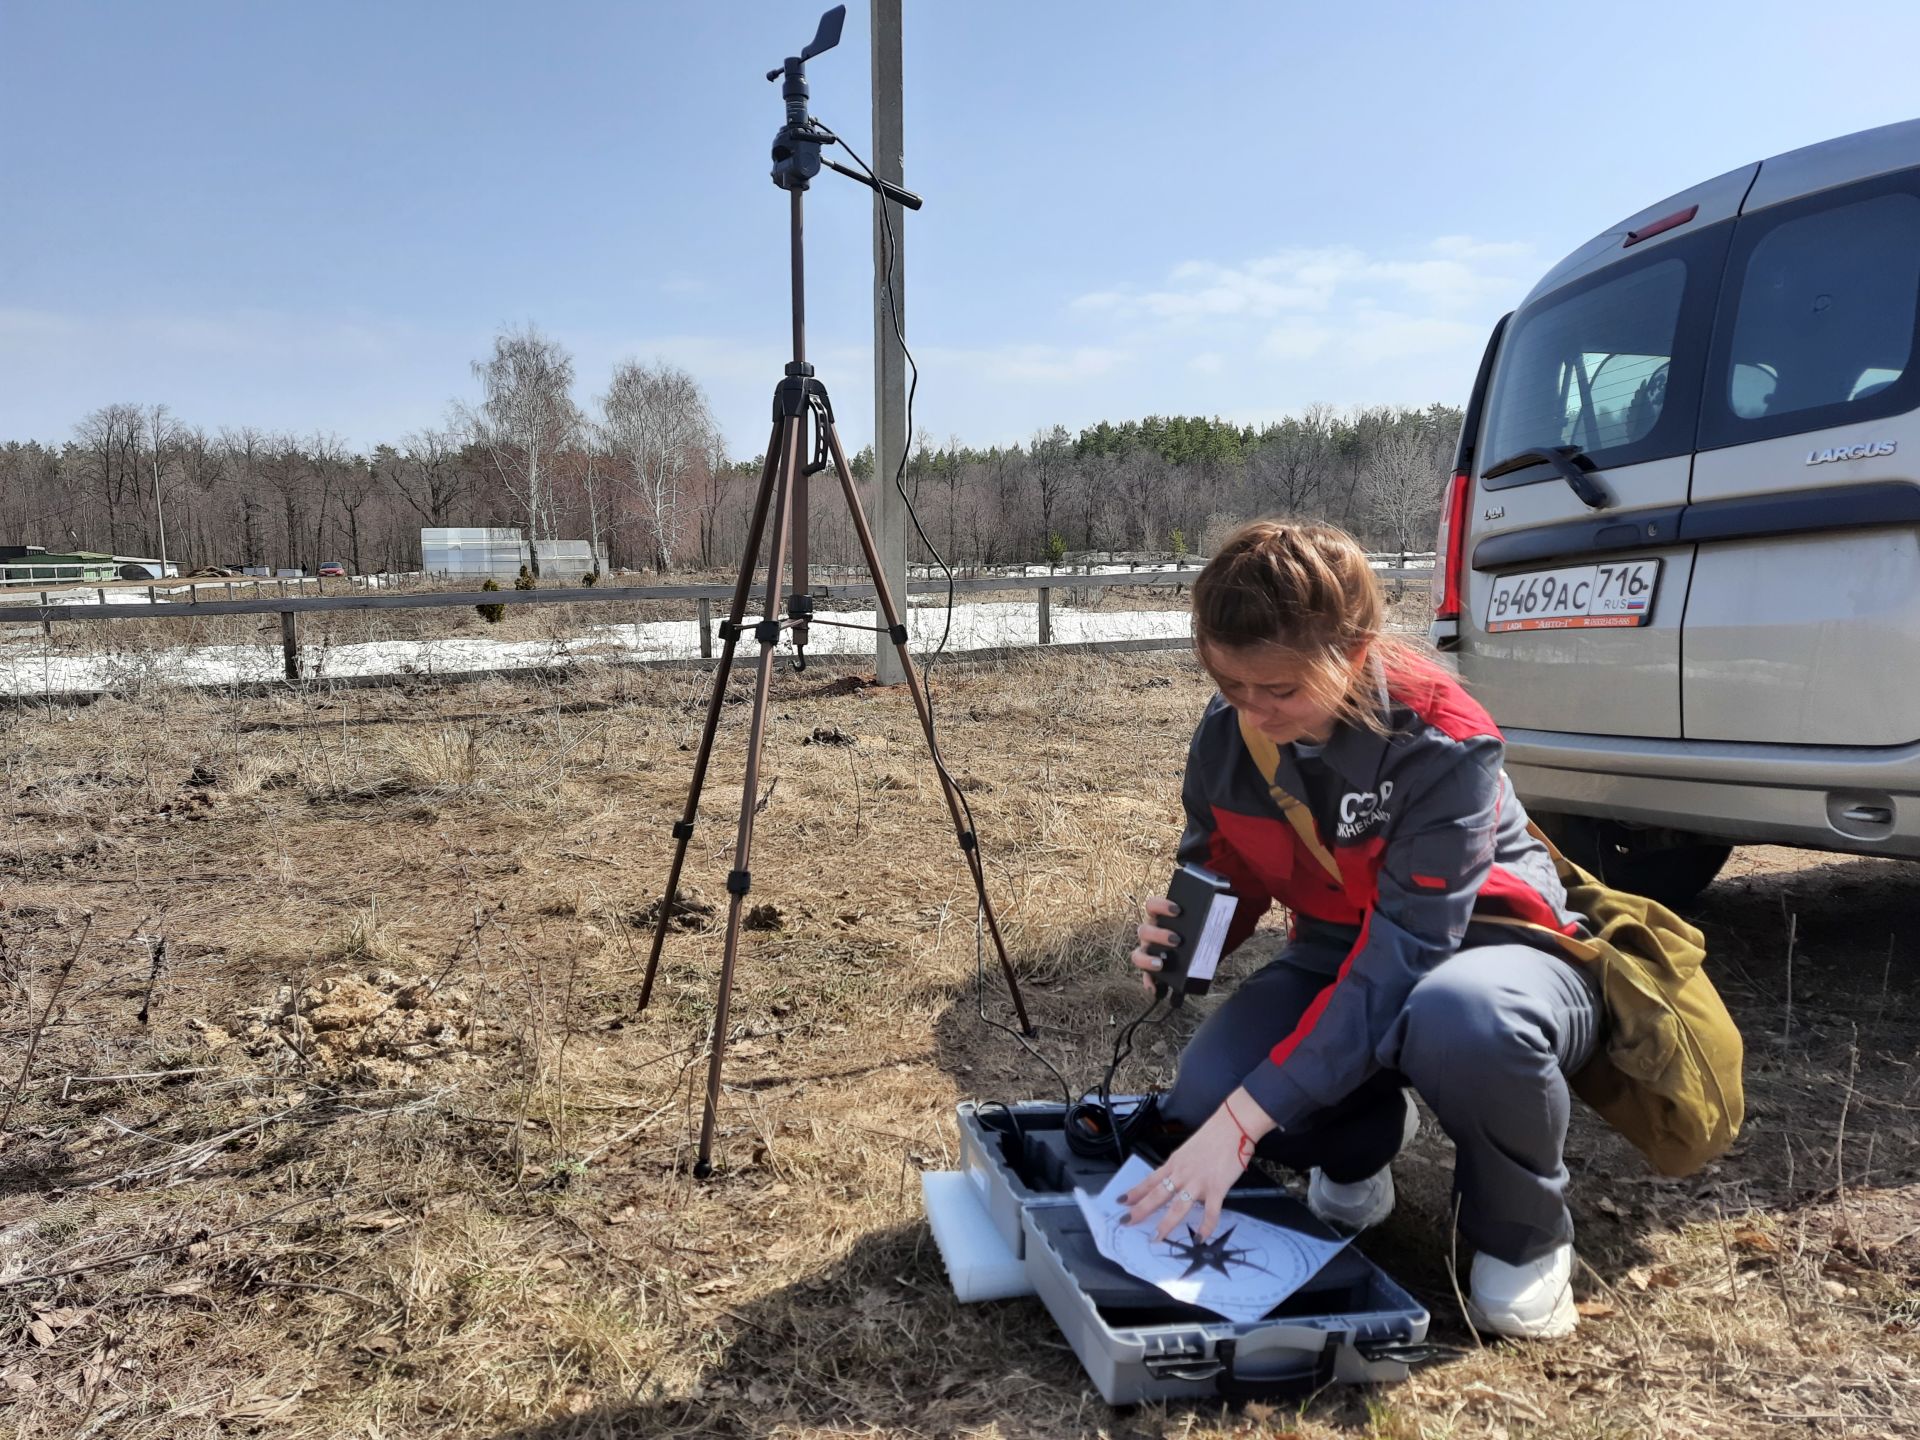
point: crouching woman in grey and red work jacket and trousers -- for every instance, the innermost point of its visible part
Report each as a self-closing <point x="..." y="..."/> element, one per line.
<point x="1349" y="777"/>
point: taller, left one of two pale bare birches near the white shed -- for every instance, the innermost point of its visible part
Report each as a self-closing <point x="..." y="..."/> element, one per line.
<point x="525" y="420"/>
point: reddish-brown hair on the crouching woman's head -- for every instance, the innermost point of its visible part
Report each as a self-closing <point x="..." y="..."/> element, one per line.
<point x="1308" y="592"/>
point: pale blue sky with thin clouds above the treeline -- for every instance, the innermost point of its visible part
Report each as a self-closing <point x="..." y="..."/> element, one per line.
<point x="316" y="216"/>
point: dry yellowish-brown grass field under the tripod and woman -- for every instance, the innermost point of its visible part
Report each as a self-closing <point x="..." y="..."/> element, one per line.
<point x="339" y="1116"/>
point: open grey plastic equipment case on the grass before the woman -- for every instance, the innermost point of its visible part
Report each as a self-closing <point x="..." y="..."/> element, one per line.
<point x="1015" y="1209"/>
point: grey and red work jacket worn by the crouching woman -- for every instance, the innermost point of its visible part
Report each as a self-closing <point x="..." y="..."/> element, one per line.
<point x="1431" y="846"/>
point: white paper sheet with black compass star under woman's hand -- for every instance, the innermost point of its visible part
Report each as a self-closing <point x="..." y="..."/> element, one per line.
<point x="1243" y="1272"/>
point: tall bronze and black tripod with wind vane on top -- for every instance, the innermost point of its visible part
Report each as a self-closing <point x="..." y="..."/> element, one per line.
<point x="800" y="398"/>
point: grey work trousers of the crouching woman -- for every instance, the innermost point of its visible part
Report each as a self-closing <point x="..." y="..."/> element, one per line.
<point x="1487" y="1040"/>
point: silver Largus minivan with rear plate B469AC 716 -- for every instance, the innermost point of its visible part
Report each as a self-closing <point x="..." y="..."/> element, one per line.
<point x="1681" y="550"/>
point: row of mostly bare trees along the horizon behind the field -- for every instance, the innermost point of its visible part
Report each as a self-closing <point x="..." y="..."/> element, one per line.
<point x="644" y="475"/>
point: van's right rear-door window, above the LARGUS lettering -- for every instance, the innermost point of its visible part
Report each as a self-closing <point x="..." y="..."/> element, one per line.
<point x="1827" y="310"/>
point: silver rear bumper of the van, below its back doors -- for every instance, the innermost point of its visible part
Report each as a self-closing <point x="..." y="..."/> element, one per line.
<point x="1861" y="800"/>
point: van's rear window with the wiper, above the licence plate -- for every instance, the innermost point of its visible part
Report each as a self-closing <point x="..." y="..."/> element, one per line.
<point x="1591" y="368"/>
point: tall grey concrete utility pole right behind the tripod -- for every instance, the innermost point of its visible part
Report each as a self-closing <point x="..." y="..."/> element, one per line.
<point x="890" y="360"/>
